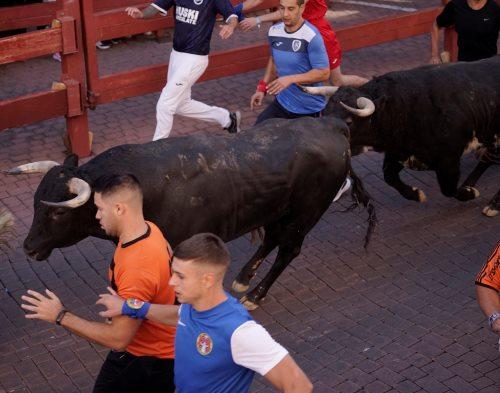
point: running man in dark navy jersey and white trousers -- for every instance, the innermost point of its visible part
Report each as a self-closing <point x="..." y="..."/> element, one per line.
<point x="194" y="24"/>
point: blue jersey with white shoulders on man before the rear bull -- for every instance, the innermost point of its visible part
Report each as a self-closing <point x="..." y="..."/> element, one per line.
<point x="297" y="53"/>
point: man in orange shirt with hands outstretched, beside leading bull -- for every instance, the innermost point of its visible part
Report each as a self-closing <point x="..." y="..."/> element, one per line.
<point x="142" y="351"/>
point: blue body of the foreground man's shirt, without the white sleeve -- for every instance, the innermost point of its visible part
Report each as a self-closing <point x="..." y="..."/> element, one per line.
<point x="203" y="359"/>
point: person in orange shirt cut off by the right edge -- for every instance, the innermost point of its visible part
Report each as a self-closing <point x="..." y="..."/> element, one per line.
<point x="488" y="287"/>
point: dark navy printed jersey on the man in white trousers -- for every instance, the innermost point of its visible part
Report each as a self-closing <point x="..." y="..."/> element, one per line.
<point x="194" y="22"/>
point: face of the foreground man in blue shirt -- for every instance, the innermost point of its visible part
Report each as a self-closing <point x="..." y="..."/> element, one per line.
<point x="188" y="280"/>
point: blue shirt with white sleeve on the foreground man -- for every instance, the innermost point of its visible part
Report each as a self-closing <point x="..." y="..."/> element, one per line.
<point x="219" y="350"/>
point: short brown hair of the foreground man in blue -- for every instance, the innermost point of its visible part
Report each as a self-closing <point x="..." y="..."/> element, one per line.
<point x="204" y="247"/>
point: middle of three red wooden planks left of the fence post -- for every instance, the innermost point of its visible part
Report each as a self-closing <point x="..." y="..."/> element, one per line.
<point x="29" y="45"/>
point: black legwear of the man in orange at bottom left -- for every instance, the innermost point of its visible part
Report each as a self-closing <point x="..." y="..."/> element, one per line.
<point x="123" y="372"/>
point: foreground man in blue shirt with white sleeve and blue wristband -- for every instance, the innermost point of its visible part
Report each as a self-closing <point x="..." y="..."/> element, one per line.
<point x="218" y="346"/>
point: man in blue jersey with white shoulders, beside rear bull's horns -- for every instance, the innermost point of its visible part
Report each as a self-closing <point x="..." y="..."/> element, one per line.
<point x="298" y="56"/>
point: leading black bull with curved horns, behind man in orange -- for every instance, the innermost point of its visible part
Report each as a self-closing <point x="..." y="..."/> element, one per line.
<point x="281" y="175"/>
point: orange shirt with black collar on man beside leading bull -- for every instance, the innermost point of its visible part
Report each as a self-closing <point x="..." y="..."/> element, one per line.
<point x="141" y="270"/>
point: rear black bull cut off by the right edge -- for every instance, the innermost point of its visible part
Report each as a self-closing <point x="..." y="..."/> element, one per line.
<point x="427" y="118"/>
